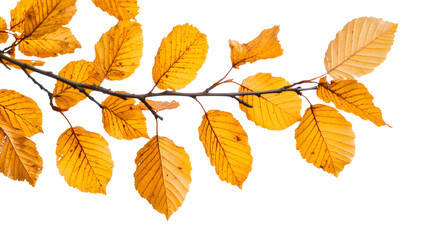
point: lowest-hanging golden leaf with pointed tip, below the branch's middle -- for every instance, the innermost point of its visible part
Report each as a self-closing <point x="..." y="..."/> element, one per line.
<point x="163" y="174"/>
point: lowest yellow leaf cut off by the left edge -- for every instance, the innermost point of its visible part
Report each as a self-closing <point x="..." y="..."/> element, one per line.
<point x="19" y="159"/>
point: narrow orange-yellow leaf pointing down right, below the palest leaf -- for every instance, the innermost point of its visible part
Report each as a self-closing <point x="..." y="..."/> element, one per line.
<point x="352" y="97"/>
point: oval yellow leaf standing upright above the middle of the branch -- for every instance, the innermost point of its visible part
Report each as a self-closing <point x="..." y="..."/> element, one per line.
<point x="181" y="54"/>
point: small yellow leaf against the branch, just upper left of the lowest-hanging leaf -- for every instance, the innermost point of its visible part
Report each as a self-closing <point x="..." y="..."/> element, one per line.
<point x="122" y="119"/>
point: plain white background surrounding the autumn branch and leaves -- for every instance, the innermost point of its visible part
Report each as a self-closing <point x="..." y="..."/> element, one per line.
<point x="382" y="194"/>
